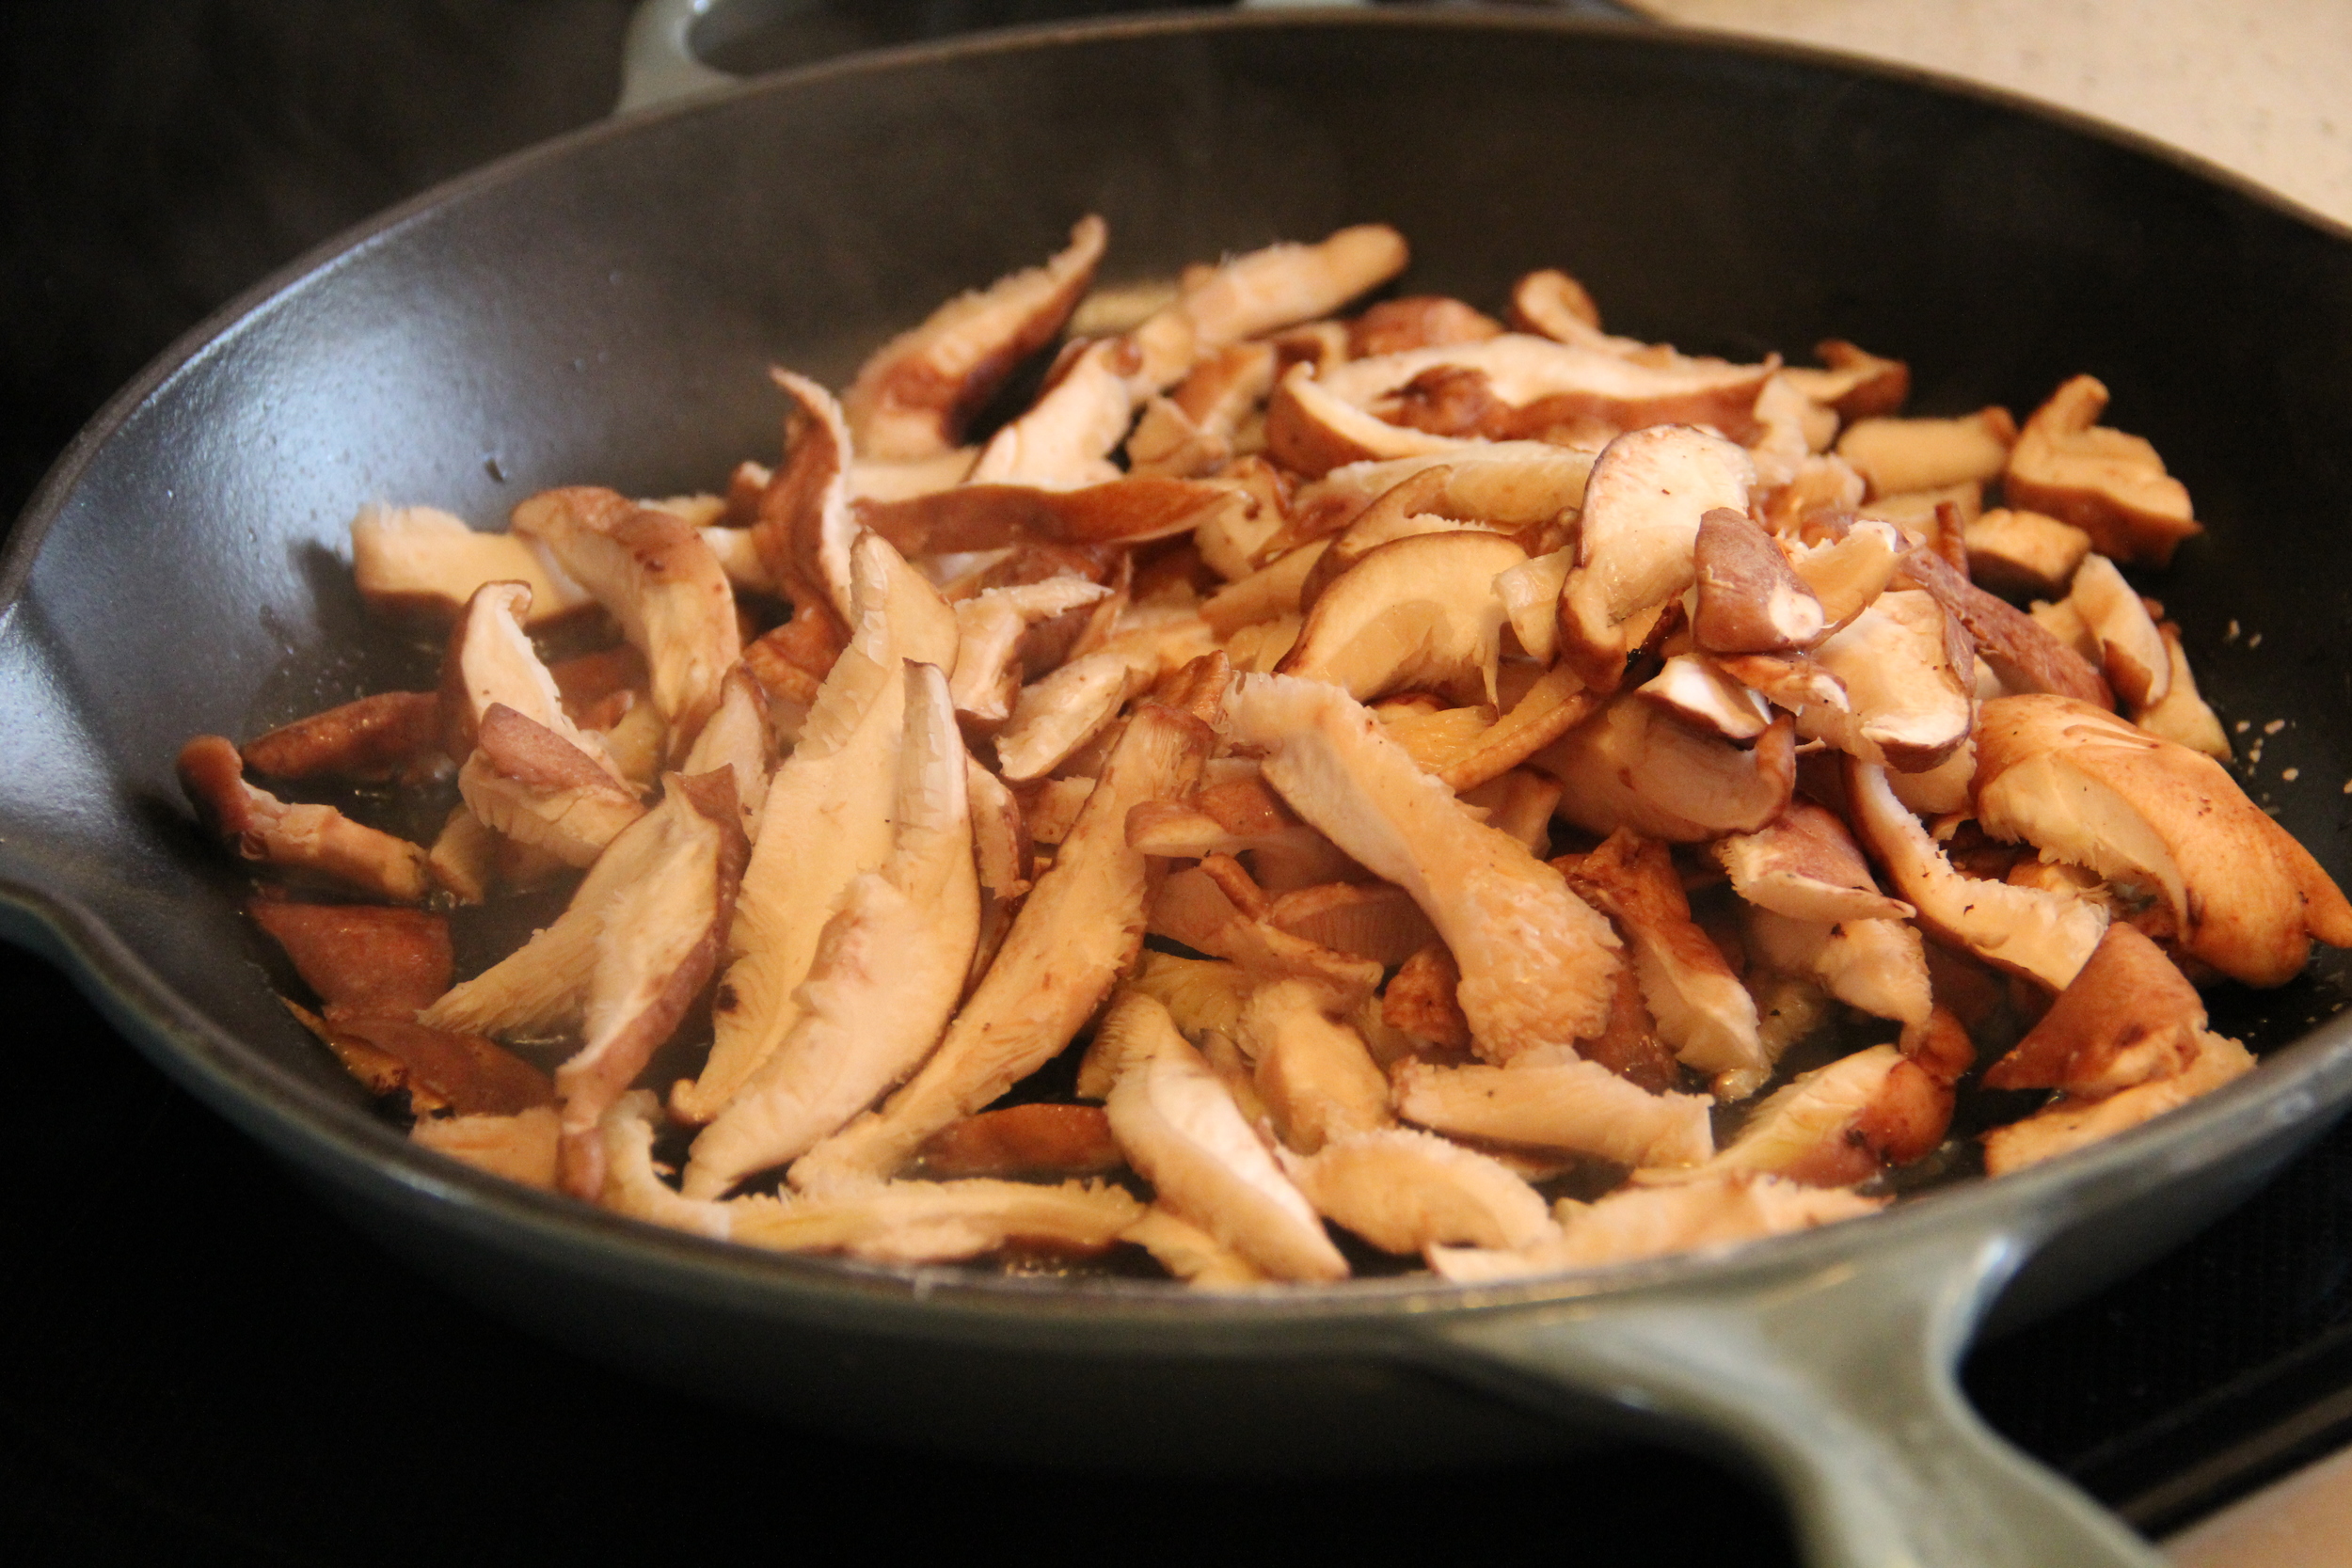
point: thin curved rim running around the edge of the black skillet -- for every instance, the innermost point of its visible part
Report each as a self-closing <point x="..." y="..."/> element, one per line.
<point x="2299" y="1087"/>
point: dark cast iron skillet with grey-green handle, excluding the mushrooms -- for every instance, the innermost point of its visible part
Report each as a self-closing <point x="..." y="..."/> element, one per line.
<point x="603" y="311"/>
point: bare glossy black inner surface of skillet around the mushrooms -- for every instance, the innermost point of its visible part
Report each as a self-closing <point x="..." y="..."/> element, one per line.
<point x="606" y="311"/>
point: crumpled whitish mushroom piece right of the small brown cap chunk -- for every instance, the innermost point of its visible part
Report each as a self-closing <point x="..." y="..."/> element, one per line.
<point x="1911" y="685"/>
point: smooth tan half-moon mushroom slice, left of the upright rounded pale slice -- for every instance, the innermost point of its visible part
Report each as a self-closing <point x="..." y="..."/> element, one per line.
<point x="1415" y="612"/>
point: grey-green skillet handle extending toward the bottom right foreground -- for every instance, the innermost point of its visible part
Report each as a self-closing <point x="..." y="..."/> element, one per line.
<point x="1833" y="1379"/>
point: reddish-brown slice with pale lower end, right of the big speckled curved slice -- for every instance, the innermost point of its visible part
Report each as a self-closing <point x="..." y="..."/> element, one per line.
<point x="1699" y="1005"/>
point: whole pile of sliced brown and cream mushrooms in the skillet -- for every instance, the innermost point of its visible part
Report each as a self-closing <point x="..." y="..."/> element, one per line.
<point x="1589" y="800"/>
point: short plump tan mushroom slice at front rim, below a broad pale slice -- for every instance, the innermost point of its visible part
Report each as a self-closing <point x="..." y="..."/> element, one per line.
<point x="1408" y="1191"/>
